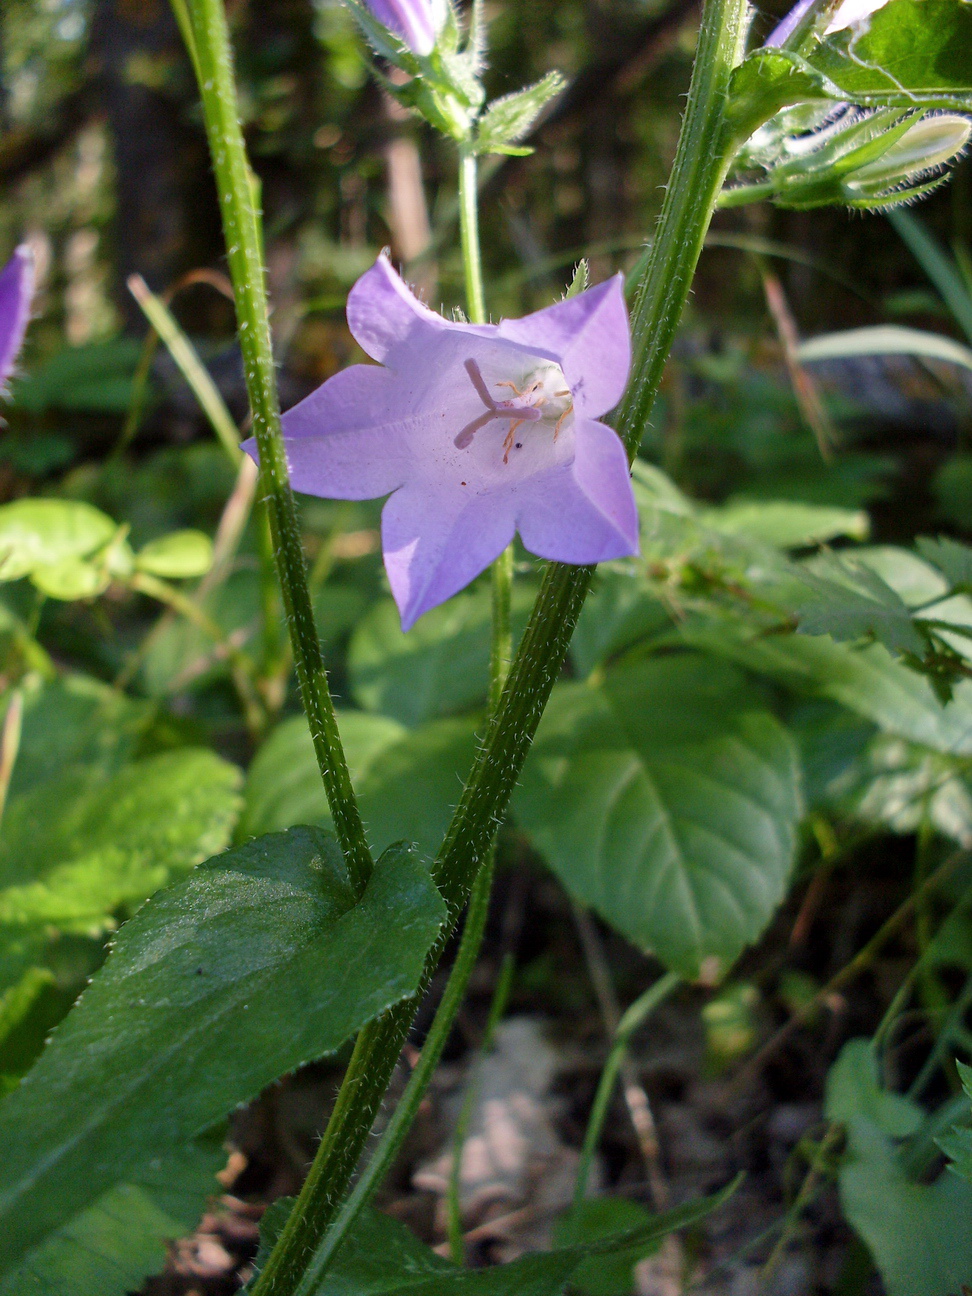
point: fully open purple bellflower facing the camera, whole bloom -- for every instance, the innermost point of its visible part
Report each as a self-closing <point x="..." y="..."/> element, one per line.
<point x="476" y="431"/>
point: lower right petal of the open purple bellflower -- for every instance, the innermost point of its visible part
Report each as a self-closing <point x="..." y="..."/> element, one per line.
<point x="585" y="513"/>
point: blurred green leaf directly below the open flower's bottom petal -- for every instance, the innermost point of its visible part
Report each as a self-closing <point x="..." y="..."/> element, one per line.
<point x="440" y="668"/>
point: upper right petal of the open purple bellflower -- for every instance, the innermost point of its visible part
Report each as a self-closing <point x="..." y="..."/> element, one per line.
<point x="589" y="336"/>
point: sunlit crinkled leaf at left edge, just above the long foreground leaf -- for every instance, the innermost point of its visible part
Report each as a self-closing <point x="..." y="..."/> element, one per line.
<point x="112" y="842"/>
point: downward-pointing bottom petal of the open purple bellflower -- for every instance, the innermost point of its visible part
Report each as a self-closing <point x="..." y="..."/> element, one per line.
<point x="437" y="541"/>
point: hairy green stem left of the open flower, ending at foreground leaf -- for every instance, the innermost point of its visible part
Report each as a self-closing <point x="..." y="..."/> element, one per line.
<point x="242" y="229"/>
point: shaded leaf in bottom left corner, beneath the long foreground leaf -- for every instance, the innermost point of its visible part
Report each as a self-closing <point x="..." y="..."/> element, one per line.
<point x="111" y="1247"/>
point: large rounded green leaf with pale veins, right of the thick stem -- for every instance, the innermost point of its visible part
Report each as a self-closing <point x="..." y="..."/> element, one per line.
<point x="667" y="799"/>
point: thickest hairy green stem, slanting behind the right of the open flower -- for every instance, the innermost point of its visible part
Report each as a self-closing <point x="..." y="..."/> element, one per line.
<point x="702" y="163"/>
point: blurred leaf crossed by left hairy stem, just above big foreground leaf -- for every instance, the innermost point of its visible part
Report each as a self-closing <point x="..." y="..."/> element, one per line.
<point x="408" y="781"/>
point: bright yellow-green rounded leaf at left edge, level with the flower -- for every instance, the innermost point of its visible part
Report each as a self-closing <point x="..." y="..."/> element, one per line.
<point x="41" y="533"/>
